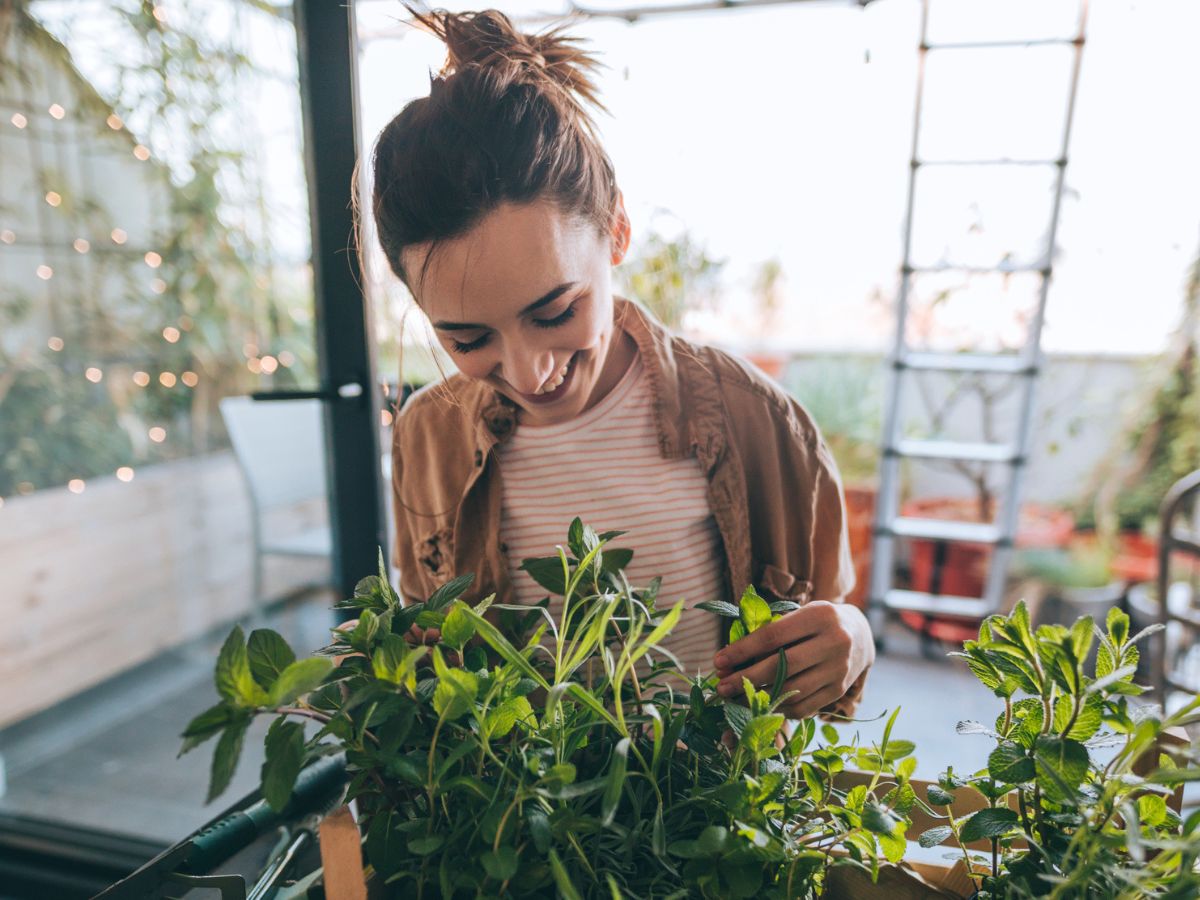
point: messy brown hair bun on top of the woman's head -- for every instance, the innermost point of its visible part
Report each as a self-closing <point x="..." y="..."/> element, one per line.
<point x="489" y="39"/>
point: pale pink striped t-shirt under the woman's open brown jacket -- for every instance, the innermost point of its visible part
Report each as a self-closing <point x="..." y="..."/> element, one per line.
<point x="605" y="469"/>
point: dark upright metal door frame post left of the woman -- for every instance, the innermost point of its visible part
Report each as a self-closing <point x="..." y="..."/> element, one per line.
<point x="326" y="43"/>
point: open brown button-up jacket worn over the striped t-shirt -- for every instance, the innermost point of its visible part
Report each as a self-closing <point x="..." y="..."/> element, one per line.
<point x="773" y="485"/>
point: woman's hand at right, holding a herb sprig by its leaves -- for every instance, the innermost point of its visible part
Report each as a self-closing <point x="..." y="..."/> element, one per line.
<point x="829" y="647"/>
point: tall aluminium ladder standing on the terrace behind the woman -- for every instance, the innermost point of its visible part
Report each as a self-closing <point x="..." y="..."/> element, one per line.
<point x="890" y="525"/>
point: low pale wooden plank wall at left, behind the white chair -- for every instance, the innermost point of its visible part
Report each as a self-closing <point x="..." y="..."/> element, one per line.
<point x="94" y="584"/>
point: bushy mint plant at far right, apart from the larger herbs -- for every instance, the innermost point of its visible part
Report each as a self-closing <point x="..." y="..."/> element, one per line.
<point x="1063" y="823"/>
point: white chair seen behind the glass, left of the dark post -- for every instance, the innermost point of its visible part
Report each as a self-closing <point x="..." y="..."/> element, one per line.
<point x="281" y="451"/>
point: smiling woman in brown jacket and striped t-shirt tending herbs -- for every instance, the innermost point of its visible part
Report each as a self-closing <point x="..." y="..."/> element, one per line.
<point x="499" y="208"/>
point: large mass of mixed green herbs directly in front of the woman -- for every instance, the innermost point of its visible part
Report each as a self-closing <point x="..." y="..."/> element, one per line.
<point x="574" y="759"/>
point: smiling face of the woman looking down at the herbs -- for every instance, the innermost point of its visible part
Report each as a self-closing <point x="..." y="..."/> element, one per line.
<point x="524" y="303"/>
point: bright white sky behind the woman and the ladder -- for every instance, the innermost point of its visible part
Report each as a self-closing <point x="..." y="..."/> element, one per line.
<point x="787" y="131"/>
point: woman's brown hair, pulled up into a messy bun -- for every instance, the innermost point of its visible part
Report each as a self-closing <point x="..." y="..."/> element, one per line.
<point x="506" y="122"/>
